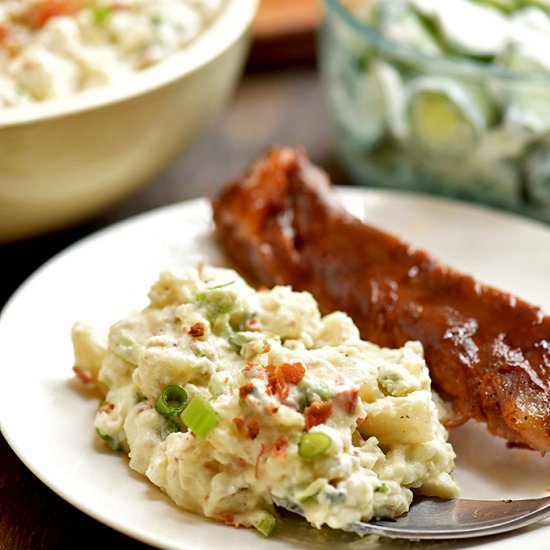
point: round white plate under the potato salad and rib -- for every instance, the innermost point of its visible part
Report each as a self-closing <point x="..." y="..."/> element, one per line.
<point x="106" y="275"/>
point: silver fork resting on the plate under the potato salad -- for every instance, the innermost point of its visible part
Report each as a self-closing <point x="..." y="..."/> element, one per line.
<point x="450" y="519"/>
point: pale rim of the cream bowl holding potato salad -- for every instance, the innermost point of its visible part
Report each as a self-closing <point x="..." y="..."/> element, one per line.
<point x="233" y="20"/>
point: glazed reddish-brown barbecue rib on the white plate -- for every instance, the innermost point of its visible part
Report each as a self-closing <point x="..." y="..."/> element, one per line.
<point x="488" y="352"/>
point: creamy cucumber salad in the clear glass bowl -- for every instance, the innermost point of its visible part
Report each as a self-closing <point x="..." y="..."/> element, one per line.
<point x="449" y="96"/>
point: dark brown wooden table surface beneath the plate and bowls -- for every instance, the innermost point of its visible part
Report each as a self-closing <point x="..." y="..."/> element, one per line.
<point x="283" y="107"/>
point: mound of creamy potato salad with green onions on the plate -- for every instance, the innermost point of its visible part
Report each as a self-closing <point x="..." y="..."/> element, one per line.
<point x="231" y="399"/>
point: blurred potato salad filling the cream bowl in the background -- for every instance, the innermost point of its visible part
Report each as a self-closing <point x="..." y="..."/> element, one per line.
<point x="54" y="48"/>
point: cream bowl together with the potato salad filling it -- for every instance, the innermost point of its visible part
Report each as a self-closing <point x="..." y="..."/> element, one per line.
<point x="98" y="96"/>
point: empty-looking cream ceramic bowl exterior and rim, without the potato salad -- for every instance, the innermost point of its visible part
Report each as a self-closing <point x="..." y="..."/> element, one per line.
<point x="64" y="160"/>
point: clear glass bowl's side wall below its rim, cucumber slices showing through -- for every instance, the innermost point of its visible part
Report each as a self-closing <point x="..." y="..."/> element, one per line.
<point x="435" y="123"/>
